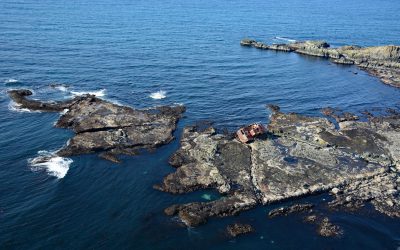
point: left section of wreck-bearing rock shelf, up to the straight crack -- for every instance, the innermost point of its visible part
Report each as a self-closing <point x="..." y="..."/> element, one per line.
<point x="209" y="160"/>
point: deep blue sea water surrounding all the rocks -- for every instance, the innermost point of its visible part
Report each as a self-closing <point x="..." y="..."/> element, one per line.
<point x="190" y="49"/>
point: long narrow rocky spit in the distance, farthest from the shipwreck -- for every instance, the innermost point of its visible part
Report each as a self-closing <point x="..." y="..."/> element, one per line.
<point x="380" y="61"/>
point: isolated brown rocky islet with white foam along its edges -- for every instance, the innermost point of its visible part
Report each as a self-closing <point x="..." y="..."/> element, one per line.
<point x="106" y="128"/>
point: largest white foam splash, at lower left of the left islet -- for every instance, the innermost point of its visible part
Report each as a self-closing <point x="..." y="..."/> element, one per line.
<point x="50" y="163"/>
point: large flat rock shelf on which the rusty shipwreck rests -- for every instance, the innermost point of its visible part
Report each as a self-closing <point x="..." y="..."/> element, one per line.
<point x="299" y="156"/>
